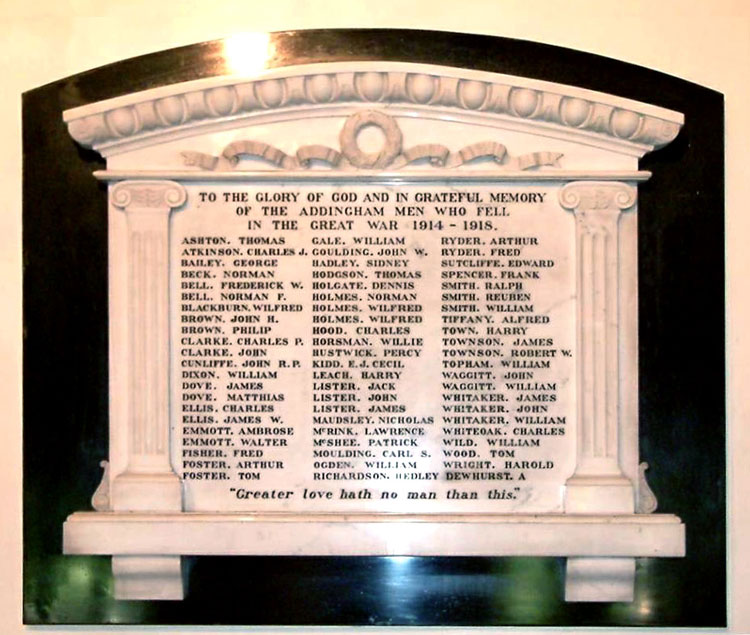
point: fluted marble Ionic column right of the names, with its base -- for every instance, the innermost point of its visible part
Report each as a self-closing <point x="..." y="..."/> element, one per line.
<point x="598" y="484"/>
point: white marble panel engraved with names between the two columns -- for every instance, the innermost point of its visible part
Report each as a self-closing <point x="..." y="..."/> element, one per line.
<point x="348" y="348"/>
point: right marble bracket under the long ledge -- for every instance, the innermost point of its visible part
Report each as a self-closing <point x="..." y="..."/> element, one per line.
<point x="599" y="579"/>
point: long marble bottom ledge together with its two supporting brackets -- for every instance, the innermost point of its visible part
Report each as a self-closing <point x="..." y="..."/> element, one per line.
<point x="146" y="548"/>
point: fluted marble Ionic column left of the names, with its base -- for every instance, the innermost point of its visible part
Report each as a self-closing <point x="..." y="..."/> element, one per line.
<point x="148" y="482"/>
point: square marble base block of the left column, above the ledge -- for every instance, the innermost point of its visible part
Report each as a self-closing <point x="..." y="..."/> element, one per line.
<point x="134" y="491"/>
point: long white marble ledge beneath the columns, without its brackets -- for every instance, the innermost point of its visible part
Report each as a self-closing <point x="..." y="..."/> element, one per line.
<point x="186" y="533"/>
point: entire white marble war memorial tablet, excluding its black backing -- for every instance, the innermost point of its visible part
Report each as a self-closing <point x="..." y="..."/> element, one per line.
<point x="373" y="308"/>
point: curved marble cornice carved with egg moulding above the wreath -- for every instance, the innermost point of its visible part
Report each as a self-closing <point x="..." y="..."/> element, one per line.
<point x="182" y="106"/>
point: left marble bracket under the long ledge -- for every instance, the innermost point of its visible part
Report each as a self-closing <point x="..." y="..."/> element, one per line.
<point x="148" y="577"/>
